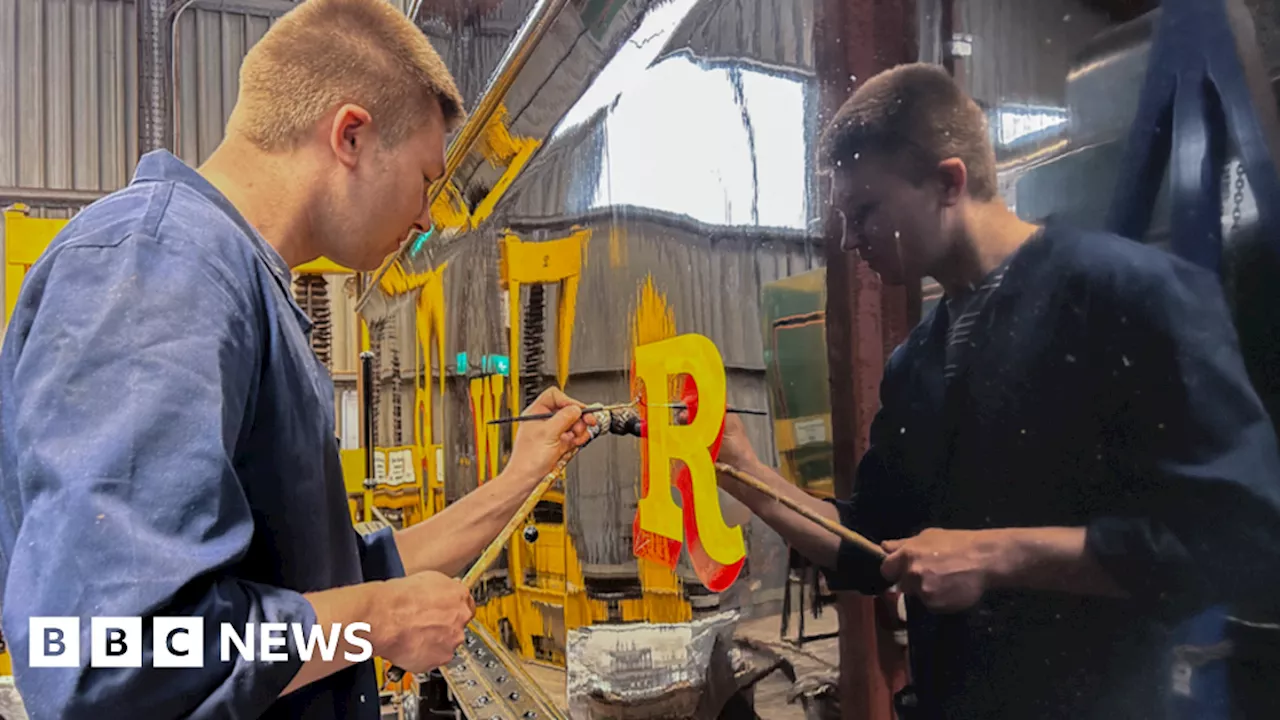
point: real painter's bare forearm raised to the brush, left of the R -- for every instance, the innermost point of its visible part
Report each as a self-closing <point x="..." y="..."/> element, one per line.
<point x="449" y="541"/>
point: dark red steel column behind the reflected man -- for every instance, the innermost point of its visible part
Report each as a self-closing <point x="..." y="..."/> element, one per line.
<point x="854" y="40"/>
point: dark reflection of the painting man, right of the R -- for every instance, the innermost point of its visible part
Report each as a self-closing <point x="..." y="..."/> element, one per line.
<point x="1069" y="458"/>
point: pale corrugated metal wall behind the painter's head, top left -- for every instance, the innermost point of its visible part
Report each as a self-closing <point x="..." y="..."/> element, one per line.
<point x="68" y="104"/>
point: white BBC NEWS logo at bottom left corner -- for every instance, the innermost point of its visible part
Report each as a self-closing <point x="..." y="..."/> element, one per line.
<point x="180" y="642"/>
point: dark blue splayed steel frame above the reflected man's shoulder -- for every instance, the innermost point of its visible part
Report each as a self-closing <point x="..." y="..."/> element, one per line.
<point x="1206" y="84"/>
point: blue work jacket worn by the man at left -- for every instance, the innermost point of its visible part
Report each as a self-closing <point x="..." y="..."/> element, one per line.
<point x="168" y="449"/>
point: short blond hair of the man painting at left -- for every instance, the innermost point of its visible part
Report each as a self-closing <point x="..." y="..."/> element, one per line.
<point x="324" y="53"/>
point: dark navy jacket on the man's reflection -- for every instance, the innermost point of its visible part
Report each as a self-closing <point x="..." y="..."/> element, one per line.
<point x="1104" y="390"/>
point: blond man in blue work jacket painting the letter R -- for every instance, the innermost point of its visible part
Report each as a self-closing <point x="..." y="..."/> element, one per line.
<point x="167" y="434"/>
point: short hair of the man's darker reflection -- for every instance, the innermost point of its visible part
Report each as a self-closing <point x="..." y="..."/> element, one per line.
<point x="920" y="116"/>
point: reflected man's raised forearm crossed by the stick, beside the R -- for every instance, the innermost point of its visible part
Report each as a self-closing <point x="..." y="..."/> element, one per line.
<point x="811" y="540"/>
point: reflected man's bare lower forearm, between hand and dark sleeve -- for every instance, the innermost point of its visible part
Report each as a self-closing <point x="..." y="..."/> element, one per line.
<point x="1049" y="559"/>
